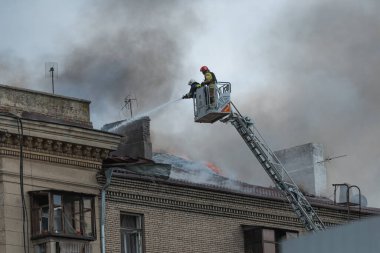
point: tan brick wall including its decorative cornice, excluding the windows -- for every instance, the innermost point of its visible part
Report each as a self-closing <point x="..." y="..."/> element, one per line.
<point x="190" y="219"/>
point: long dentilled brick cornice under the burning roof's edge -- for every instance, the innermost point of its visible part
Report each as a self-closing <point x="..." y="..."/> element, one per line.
<point x="154" y="189"/>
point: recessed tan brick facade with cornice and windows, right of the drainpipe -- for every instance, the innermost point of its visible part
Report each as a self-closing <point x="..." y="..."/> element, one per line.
<point x="146" y="213"/>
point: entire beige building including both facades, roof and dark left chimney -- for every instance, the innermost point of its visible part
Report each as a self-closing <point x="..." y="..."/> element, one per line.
<point x="54" y="167"/>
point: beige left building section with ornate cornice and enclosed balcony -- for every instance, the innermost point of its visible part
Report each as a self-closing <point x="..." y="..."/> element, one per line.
<point x="49" y="158"/>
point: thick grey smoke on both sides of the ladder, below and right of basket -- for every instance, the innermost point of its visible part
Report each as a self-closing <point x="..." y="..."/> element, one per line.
<point x="323" y="58"/>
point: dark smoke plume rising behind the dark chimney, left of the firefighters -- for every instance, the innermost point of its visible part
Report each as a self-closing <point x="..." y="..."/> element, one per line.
<point x="129" y="48"/>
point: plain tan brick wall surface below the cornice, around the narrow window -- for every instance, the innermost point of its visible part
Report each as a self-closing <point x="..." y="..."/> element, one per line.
<point x="173" y="231"/>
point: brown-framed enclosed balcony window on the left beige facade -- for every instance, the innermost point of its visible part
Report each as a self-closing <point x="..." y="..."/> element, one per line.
<point x="62" y="214"/>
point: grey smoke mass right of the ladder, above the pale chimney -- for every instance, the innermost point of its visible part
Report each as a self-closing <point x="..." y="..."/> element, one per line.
<point x="325" y="61"/>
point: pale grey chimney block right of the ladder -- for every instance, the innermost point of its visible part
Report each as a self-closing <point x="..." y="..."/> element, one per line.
<point x="304" y="165"/>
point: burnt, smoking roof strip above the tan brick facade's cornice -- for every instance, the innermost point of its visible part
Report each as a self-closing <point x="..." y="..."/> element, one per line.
<point x="149" y="170"/>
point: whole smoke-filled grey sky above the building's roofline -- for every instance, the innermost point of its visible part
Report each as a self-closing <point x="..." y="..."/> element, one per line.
<point x="304" y="71"/>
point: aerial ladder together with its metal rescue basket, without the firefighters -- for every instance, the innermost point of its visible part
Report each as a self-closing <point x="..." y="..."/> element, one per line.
<point x="224" y="110"/>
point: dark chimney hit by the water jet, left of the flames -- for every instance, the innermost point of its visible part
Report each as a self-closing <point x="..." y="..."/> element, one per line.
<point x="136" y="137"/>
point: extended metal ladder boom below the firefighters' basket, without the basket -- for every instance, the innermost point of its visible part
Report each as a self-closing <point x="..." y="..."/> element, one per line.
<point x="276" y="171"/>
